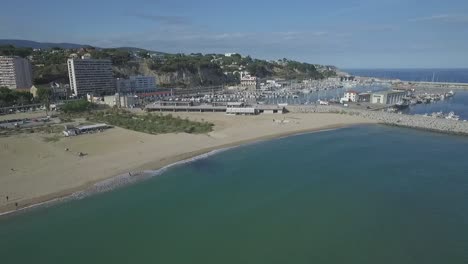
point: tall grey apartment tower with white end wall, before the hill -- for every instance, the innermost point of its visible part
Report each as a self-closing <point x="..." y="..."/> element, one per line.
<point x="91" y="76"/>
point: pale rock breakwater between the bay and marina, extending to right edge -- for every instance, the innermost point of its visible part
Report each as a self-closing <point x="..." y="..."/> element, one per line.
<point x="394" y="119"/>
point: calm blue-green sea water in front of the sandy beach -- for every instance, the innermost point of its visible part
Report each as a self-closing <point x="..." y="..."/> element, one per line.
<point x="369" y="194"/>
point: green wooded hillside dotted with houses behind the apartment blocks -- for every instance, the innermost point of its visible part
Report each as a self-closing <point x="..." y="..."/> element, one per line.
<point x="171" y="70"/>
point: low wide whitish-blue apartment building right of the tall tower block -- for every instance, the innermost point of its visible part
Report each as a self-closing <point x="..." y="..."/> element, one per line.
<point x="136" y="84"/>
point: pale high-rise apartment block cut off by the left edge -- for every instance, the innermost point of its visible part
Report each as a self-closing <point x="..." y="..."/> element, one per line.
<point x="15" y="73"/>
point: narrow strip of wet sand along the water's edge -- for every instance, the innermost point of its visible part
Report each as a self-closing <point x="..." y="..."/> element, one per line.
<point x="149" y="170"/>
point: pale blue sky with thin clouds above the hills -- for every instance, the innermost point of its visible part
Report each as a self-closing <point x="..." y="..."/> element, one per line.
<point x="344" y="33"/>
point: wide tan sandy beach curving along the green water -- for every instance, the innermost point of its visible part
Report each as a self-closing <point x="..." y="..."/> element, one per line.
<point x="34" y="171"/>
